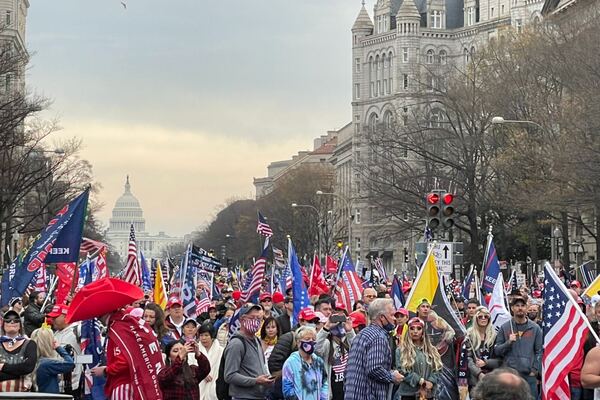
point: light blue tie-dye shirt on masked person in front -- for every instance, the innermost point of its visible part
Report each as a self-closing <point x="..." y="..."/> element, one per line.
<point x="304" y="381"/>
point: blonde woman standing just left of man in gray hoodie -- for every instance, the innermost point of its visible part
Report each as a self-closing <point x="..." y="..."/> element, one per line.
<point x="480" y="346"/>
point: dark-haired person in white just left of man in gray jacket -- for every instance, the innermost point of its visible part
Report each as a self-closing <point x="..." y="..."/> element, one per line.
<point x="214" y="352"/>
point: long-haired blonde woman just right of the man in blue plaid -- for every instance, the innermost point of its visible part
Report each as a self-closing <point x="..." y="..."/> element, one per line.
<point x="420" y="363"/>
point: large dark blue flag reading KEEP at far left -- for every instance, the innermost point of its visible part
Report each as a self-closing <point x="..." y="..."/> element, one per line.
<point x="58" y="242"/>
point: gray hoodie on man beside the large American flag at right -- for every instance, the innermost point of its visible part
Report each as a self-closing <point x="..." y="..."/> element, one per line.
<point x="524" y="355"/>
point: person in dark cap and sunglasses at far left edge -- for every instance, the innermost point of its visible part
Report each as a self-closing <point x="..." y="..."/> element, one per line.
<point x="18" y="355"/>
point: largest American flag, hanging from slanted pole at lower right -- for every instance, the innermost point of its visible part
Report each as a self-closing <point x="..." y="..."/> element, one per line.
<point x="565" y="330"/>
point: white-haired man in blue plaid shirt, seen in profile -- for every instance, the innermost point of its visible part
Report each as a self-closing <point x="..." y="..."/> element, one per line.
<point x="369" y="374"/>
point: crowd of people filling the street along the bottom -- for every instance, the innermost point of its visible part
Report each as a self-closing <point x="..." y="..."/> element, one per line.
<point x="325" y="352"/>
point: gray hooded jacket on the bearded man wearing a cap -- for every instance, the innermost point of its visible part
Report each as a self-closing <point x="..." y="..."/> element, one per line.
<point x="243" y="363"/>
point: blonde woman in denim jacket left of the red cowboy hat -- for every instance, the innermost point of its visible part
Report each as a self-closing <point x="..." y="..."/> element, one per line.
<point x="52" y="361"/>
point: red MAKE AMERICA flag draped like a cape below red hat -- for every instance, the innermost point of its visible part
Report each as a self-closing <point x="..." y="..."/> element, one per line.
<point x="142" y="351"/>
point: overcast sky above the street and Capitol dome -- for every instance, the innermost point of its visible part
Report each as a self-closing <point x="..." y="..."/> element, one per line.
<point x="191" y="98"/>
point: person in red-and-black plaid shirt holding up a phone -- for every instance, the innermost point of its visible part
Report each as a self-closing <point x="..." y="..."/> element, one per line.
<point x="179" y="380"/>
